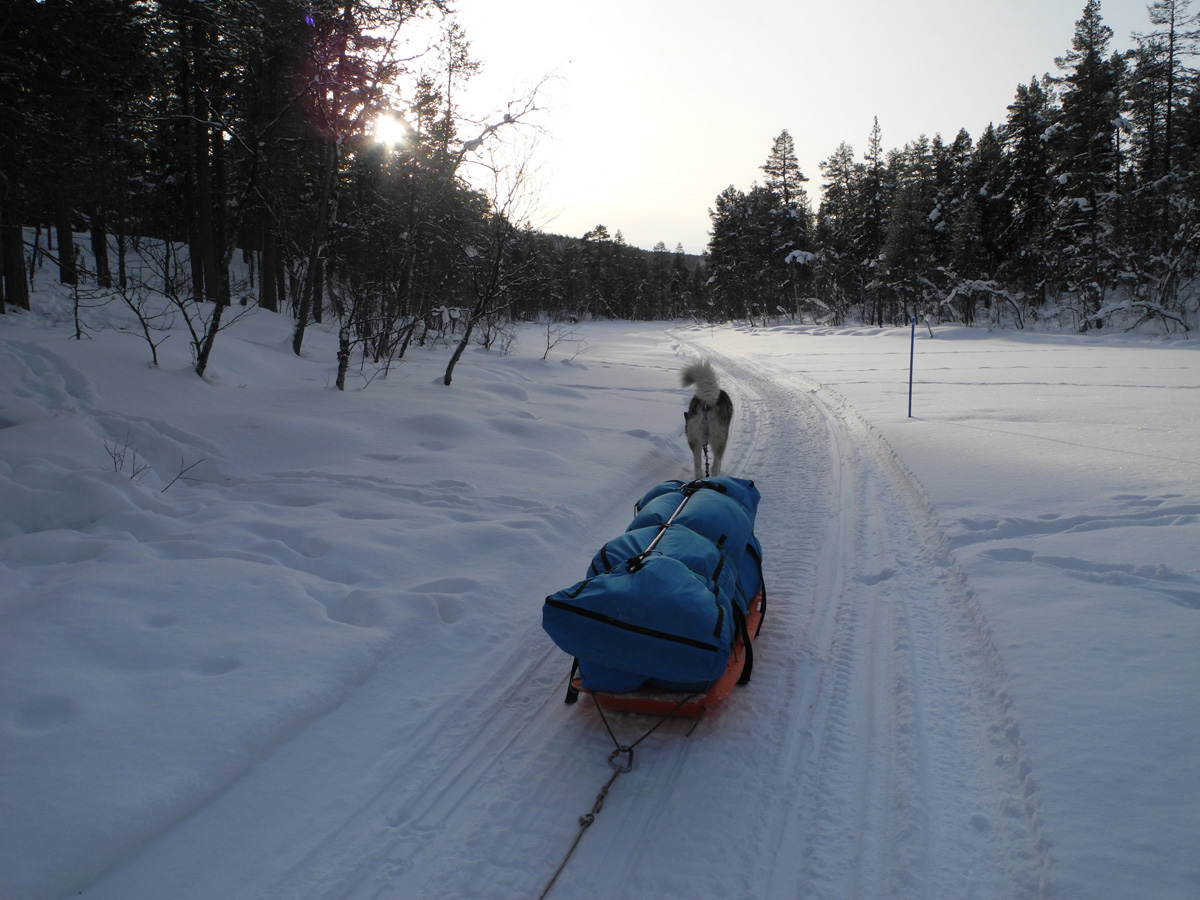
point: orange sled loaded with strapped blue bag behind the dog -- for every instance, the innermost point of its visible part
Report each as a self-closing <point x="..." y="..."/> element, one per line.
<point x="665" y="621"/>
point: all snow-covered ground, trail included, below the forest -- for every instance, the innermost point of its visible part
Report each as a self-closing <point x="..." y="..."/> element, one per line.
<point x="314" y="667"/>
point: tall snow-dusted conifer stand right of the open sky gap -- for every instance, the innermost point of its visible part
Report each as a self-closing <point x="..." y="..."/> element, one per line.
<point x="1089" y="195"/>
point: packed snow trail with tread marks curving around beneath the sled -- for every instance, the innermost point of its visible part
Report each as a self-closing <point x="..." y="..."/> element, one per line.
<point x="874" y="755"/>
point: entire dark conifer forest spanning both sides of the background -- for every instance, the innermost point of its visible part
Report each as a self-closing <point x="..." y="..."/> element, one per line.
<point x="226" y="155"/>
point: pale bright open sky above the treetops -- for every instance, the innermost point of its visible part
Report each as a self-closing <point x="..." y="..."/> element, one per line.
<point x="661" y="105"/>
